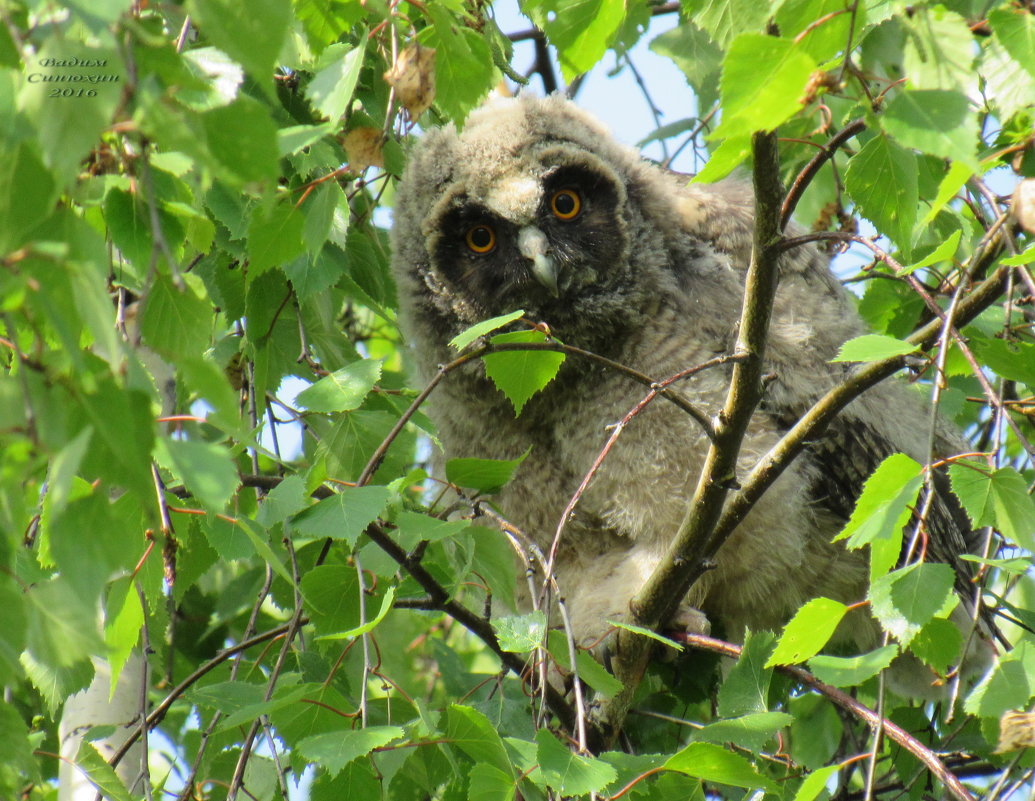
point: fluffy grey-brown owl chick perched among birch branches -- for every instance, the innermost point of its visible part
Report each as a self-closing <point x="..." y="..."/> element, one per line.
<point x="535" y="206"/>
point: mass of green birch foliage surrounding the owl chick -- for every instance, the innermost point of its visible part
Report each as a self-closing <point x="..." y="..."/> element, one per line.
<point x="213" y="453"/>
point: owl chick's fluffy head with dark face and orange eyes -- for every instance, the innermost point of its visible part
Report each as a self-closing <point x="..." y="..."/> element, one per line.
<point x="531" y="206"/>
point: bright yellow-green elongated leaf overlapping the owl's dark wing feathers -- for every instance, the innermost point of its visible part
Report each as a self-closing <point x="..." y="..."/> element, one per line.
<point x="884" y="508"/>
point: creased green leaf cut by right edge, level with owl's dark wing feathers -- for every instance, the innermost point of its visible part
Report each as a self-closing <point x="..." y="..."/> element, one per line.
<point x="998" y="499"/>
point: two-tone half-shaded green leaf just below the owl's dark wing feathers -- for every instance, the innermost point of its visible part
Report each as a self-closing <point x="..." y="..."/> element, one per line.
<point x="909" y="599"/>
